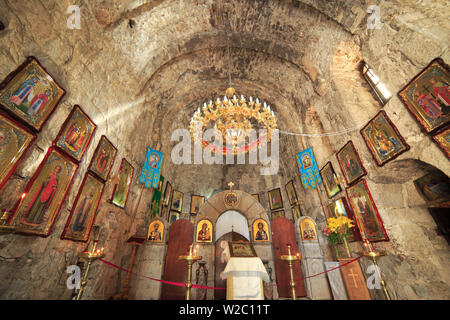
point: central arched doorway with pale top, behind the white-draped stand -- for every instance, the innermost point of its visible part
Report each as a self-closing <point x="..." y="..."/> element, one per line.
<point x="230" y="226"/>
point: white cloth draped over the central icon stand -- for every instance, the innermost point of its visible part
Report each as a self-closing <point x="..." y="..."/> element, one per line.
<point x="247" y="274"/>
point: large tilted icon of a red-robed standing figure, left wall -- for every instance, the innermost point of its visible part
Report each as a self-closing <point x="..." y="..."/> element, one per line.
<point x="36" y="212"/>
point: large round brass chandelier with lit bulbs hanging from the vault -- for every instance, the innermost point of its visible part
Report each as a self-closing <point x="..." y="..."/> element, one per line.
<point x="232" y="118"/>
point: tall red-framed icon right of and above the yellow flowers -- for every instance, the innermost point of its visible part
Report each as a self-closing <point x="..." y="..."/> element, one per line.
<point x="366" y="213"/>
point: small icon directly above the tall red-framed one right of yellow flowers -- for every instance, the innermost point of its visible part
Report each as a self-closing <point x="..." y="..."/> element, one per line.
<point x="350" y="164"/>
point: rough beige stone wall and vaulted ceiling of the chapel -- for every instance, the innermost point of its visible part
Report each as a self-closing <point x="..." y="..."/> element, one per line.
<point x="139" y="84"/>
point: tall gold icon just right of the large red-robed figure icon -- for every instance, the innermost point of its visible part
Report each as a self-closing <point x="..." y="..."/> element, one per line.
<point x="84" y="209"/>
